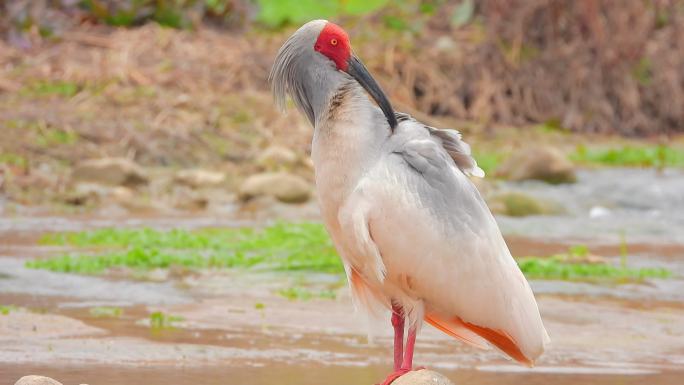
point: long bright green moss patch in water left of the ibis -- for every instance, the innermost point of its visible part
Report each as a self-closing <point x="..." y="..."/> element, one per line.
<point x="283" y="246"/>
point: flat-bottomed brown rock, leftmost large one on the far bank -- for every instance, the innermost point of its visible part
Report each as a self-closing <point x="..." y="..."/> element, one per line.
<point x="110" y="171"/>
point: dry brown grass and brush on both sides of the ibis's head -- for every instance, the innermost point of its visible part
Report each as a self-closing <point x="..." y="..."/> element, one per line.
<point x="174" y="98"/>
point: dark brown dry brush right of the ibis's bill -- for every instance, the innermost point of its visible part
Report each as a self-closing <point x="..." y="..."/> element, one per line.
<point x="605" y="66"/>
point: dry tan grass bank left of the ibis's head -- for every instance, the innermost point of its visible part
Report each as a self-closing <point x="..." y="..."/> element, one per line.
<point x="159" y="96"/>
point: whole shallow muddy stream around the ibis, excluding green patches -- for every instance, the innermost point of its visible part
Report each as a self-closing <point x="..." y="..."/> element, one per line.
<point x="602" y="334"/>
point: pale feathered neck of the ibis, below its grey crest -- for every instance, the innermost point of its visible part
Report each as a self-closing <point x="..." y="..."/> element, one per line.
<point x="346" y="143"/>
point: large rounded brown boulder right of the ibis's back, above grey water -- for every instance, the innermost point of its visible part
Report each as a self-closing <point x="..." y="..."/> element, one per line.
<point x="543" y="163"/>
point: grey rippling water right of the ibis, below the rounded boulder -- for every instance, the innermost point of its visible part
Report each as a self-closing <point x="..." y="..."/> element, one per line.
<point x="639" y="205"/>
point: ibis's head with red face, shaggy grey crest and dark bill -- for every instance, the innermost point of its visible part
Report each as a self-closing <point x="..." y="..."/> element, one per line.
<point x="316" y="55"/>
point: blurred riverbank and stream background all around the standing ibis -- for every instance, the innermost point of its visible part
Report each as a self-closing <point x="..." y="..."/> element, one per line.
<point x="158" y="221"/>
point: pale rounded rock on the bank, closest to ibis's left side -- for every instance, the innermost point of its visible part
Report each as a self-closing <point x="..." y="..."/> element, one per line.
<point x="285" y="187"/>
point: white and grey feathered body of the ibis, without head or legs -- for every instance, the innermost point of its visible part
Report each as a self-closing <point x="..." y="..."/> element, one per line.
<point x="413" y="229"/>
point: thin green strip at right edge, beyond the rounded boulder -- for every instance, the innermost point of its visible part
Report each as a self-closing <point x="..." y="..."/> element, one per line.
<point x="647" y="156"/>
